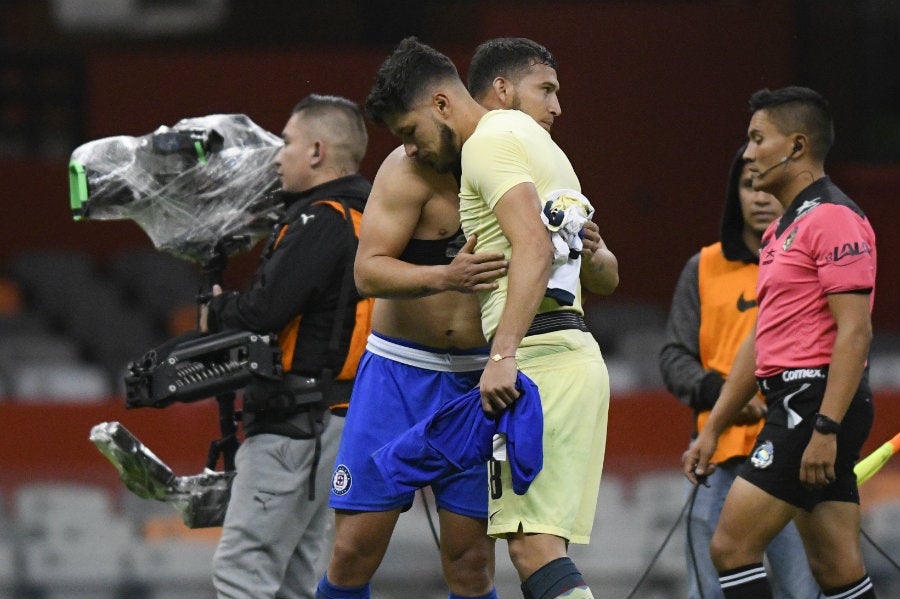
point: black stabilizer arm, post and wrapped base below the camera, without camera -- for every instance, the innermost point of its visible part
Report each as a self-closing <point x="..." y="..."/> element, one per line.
<point x="189" y="368"/>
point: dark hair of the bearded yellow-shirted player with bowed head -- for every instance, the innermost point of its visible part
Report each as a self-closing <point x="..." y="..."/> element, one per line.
<point x="403" y="76"/>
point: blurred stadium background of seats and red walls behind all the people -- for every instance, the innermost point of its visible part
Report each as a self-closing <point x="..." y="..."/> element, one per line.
<point x="654" y="97"/>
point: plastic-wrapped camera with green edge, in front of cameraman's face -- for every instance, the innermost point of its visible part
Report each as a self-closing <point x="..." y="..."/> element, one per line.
<point x="203" y="181"/>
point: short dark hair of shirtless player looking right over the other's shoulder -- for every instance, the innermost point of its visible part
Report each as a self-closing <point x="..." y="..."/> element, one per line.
<point x="507" y="57"/>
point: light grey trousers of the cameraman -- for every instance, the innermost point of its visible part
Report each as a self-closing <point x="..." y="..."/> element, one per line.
<point x="274" y="539"/>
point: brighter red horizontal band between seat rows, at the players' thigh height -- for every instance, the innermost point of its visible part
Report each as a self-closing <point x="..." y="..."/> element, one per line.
<point x="647" y="431"/>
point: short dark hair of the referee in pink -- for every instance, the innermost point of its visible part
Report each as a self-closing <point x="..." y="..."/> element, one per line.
<point x="799" y="109"/>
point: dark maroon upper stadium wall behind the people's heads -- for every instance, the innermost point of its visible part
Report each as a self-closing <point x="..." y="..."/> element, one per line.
<point x="654" y="105"/>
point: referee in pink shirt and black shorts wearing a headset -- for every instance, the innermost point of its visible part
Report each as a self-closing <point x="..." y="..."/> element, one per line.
<point x="815" y="291"/>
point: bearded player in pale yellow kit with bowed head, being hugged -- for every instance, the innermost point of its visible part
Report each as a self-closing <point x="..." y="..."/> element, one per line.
<point x="511" y="172"/>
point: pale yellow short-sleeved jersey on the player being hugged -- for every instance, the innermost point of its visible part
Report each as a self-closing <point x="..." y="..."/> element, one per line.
<point x="507" y="148"/>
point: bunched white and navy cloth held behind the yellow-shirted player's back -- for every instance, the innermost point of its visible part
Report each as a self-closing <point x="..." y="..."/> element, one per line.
<point x="565" y="213"/>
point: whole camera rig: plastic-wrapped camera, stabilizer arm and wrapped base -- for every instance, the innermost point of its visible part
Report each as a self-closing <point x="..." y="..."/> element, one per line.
<point x="201" y="190"/>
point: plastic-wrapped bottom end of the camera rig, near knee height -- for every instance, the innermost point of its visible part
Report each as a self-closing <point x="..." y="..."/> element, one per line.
<point x="201" y="499"/>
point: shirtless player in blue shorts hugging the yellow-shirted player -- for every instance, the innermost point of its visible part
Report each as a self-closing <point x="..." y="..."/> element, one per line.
<point x="427" y="345"/>
